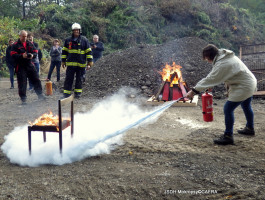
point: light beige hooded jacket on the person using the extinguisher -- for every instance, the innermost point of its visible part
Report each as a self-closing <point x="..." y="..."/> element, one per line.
<point x="229" y="69"/>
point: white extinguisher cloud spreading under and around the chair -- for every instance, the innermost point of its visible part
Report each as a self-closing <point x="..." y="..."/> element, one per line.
<point x="95" y="133"/>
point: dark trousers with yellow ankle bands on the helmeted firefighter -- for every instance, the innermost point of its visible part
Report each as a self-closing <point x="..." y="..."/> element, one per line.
<point x="71" y="73"/>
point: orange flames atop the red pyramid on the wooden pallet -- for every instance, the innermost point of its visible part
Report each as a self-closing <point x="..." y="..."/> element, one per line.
<point x="168" y="71"/>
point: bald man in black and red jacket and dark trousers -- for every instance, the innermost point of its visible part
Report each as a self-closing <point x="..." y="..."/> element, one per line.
<point x="23" y="52"/>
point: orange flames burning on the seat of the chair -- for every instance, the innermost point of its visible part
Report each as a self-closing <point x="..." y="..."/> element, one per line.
<point x="47" y="119"/>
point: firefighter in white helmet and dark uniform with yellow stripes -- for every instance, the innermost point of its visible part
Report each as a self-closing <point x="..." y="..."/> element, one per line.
<point x="75" y="54"/>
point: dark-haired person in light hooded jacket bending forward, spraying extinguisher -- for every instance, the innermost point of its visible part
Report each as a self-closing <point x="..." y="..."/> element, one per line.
<point x="241" y="84"/>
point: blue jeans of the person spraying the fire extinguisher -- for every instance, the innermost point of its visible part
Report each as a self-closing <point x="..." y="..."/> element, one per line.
<point x="229" y="108"/>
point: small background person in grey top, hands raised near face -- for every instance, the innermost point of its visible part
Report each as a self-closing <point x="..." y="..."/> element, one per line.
<point x="55" y="53"/>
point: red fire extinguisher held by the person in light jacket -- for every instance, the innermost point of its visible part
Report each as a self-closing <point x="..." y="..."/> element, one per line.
<point x="207" y="106"/>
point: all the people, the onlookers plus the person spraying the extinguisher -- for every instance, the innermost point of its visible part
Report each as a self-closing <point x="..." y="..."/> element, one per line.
<point x="76" y="55"/>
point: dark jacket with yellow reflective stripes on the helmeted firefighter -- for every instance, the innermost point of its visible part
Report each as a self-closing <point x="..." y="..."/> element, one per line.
<point x="76" y="52"/>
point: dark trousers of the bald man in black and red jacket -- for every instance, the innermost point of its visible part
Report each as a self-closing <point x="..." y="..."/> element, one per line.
<point x="31" y="73"/>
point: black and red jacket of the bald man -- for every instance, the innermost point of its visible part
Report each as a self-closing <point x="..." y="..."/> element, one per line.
<point x="18" y="50"/>
